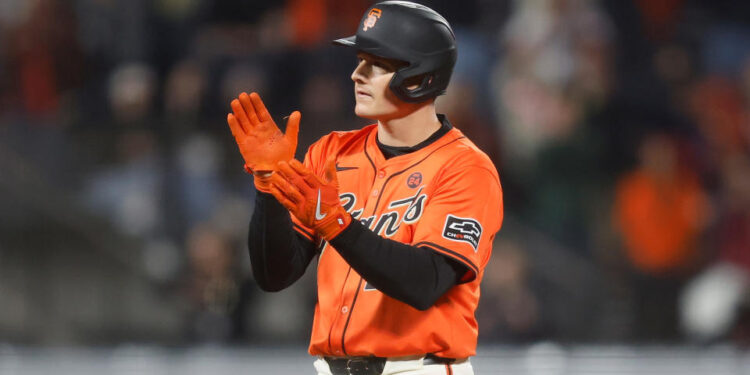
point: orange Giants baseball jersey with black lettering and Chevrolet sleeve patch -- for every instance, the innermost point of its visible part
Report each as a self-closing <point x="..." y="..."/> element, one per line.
<point x="445" y="197"/>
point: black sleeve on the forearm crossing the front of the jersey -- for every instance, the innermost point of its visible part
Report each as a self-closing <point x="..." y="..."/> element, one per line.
<point x="413" y="275"/>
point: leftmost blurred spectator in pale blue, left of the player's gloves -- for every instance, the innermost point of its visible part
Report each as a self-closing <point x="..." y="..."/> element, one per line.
<point x="129" y="190"/>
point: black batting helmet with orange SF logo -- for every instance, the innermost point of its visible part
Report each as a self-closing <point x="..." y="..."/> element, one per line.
<point x="412" y="33"/>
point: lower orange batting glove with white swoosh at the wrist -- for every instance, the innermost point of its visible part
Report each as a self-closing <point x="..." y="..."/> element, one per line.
<point x="312" y="199"/>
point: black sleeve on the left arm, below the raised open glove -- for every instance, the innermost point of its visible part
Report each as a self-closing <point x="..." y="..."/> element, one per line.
<point x="278" y="254"/>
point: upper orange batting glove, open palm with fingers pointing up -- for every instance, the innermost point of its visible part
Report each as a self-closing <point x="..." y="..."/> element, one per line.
<point x="261" y="143"/>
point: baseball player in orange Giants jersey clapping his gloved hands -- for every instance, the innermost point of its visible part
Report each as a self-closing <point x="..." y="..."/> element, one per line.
<point x="401" y="214"/>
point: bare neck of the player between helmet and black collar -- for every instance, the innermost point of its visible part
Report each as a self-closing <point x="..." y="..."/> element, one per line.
<point x="409" y="130"/>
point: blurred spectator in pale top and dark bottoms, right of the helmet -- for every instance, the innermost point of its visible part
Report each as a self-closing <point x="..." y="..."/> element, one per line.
<point x="554" y="77"/>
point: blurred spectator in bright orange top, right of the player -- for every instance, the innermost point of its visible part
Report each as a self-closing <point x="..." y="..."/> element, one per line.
<point x="660" y="212"/>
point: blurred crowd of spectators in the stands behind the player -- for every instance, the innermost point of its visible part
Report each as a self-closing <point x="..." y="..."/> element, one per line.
<point x="621" y="131"/>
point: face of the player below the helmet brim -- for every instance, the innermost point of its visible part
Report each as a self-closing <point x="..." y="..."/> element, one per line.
<point x="374" y="99"/>
